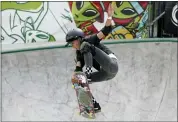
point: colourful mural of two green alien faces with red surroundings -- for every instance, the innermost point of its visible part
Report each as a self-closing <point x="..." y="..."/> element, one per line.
<point x="129" y="18"/>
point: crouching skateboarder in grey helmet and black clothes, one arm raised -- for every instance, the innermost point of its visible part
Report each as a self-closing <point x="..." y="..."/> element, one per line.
<point x="92" y="54"/>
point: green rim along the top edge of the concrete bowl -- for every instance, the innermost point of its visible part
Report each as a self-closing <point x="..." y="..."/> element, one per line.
<point x="53" y="45"/>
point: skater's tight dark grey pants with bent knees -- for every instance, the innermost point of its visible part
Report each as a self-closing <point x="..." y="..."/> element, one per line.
<point x="109" y="65"/>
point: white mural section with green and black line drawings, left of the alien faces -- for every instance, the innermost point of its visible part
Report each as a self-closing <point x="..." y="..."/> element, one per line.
<point x="30" y="22"/>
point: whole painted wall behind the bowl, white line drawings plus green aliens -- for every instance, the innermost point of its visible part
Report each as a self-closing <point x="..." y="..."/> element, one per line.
<point x="30" y="22"/>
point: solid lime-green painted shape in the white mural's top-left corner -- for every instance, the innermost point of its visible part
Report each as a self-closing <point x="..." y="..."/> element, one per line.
<point x="27" y="6"/>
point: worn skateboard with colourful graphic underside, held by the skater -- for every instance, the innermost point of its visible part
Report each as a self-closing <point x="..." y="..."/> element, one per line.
<point x="84" y="96"/>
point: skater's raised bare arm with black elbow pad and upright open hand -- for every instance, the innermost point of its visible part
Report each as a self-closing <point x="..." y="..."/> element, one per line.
<point x="108" y="25"/>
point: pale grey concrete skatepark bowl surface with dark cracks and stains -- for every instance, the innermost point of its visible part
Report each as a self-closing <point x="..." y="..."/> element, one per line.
<point x="36" y="84"/>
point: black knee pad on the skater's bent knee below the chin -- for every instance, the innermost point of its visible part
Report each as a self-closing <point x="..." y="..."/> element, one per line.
<point x="87" y="47"/>
